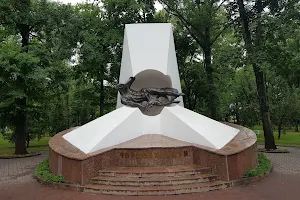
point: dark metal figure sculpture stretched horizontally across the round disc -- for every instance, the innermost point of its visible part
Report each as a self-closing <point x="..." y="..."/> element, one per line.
<point x="146" y="98"/>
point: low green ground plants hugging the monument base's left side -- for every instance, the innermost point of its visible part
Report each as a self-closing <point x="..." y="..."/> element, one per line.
<point x="42" y="171"/>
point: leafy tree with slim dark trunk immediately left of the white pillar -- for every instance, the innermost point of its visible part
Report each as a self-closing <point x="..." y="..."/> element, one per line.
<point x="102" y="37"/>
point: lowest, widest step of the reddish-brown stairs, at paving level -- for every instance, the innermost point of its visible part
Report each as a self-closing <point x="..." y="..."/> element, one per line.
<point x="157" y="190"/>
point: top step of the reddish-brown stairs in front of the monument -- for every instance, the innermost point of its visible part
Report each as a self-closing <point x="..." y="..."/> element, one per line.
<point x="167" y="171"/>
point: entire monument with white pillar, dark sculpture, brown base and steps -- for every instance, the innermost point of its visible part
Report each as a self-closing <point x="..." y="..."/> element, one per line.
<point x="151" y="140"/>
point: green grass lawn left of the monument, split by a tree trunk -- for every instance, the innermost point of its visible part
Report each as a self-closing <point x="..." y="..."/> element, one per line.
<point x="35" y="145"/>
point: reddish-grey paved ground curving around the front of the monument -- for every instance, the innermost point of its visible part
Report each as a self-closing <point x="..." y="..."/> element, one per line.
<point x="16" y="183"/>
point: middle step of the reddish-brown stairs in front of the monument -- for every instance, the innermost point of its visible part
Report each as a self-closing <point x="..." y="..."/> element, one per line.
<point x="154" y="181"/>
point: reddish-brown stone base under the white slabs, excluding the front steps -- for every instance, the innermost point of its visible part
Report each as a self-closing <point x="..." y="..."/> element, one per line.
<point x="230" y="162"/>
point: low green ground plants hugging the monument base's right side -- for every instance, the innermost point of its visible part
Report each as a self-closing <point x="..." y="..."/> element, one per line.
<point x="263" y="167"/>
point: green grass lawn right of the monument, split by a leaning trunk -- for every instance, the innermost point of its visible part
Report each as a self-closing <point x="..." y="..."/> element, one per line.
<point x="290" y="138"/>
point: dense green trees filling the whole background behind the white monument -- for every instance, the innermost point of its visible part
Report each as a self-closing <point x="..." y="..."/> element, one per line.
<point x="239" y="61"/>
